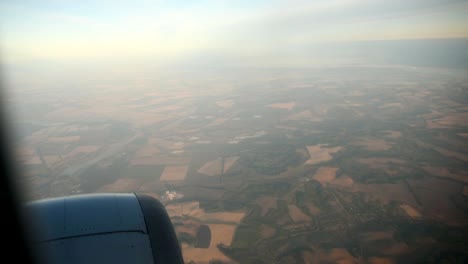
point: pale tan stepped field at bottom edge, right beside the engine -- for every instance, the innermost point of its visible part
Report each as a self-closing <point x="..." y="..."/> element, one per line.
<point x="220" y="234"/>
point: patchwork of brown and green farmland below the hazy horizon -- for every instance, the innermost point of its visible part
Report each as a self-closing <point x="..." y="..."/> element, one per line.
<point x="364" y="164"/>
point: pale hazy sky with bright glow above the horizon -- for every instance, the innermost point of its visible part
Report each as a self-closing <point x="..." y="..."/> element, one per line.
<point x="68" y="30"/>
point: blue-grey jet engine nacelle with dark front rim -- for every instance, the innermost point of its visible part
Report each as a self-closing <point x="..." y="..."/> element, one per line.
<point x="103" y="228"/>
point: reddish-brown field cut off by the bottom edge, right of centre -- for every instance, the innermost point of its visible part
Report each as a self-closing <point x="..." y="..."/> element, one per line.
<point x="336" y="255"/>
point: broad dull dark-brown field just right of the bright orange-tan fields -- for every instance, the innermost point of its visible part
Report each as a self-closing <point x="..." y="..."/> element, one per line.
<point x="387" y="192"/>
